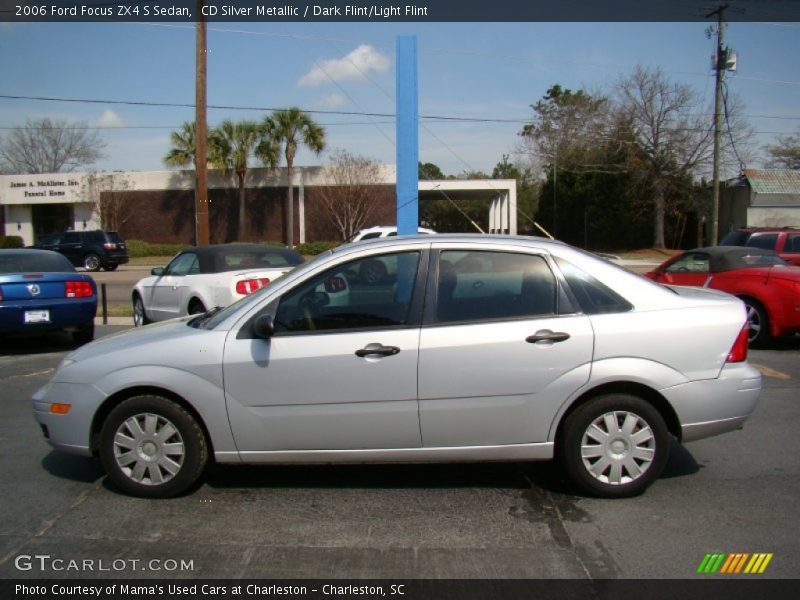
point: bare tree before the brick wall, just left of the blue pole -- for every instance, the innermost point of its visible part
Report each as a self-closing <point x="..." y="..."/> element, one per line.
<point x="350" y="201"/>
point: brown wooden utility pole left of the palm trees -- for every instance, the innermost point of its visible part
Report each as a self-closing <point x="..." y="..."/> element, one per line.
<point x="201" y="135"/>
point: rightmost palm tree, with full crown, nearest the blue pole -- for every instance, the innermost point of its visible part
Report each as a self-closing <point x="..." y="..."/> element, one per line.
<point x="289" y="128"/>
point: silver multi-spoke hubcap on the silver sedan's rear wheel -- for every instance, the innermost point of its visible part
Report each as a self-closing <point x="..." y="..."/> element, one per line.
<point x="618" y="447"/>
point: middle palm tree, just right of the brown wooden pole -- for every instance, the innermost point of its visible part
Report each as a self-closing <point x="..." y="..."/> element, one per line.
<point x="230" y="146"/>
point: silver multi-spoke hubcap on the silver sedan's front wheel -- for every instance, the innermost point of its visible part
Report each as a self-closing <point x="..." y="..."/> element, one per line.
<point x="149" y="449"/>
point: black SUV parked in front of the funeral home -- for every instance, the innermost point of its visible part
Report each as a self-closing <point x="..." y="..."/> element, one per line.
<point x="88" y="249"/>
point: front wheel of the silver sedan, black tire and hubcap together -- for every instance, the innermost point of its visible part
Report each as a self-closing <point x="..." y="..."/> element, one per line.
<point x="152" y="448"/>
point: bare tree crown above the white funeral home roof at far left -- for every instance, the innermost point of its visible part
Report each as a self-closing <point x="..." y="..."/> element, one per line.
<point x="45" y="146"/>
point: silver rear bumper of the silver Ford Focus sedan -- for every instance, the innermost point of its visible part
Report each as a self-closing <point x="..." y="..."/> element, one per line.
<point x="710" y="407"/>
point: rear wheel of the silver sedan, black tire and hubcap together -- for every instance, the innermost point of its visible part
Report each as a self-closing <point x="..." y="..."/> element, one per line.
<point x="614" y="446"/>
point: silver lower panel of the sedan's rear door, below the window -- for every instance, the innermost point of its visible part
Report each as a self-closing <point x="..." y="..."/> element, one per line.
<point x="484" y="384"/>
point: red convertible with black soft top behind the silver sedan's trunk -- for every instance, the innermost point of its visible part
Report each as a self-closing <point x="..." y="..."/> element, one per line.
<point x="769" y="287"/>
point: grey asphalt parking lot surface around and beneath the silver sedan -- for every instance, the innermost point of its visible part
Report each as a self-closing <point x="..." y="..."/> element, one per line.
<point x="733" y="493"/>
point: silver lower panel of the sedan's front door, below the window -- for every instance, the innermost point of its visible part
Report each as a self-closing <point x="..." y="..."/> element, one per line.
<point x="311" y="392"/>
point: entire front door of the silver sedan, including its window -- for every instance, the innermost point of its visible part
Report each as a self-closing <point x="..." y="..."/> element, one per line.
<point x="340" y="373"/>
